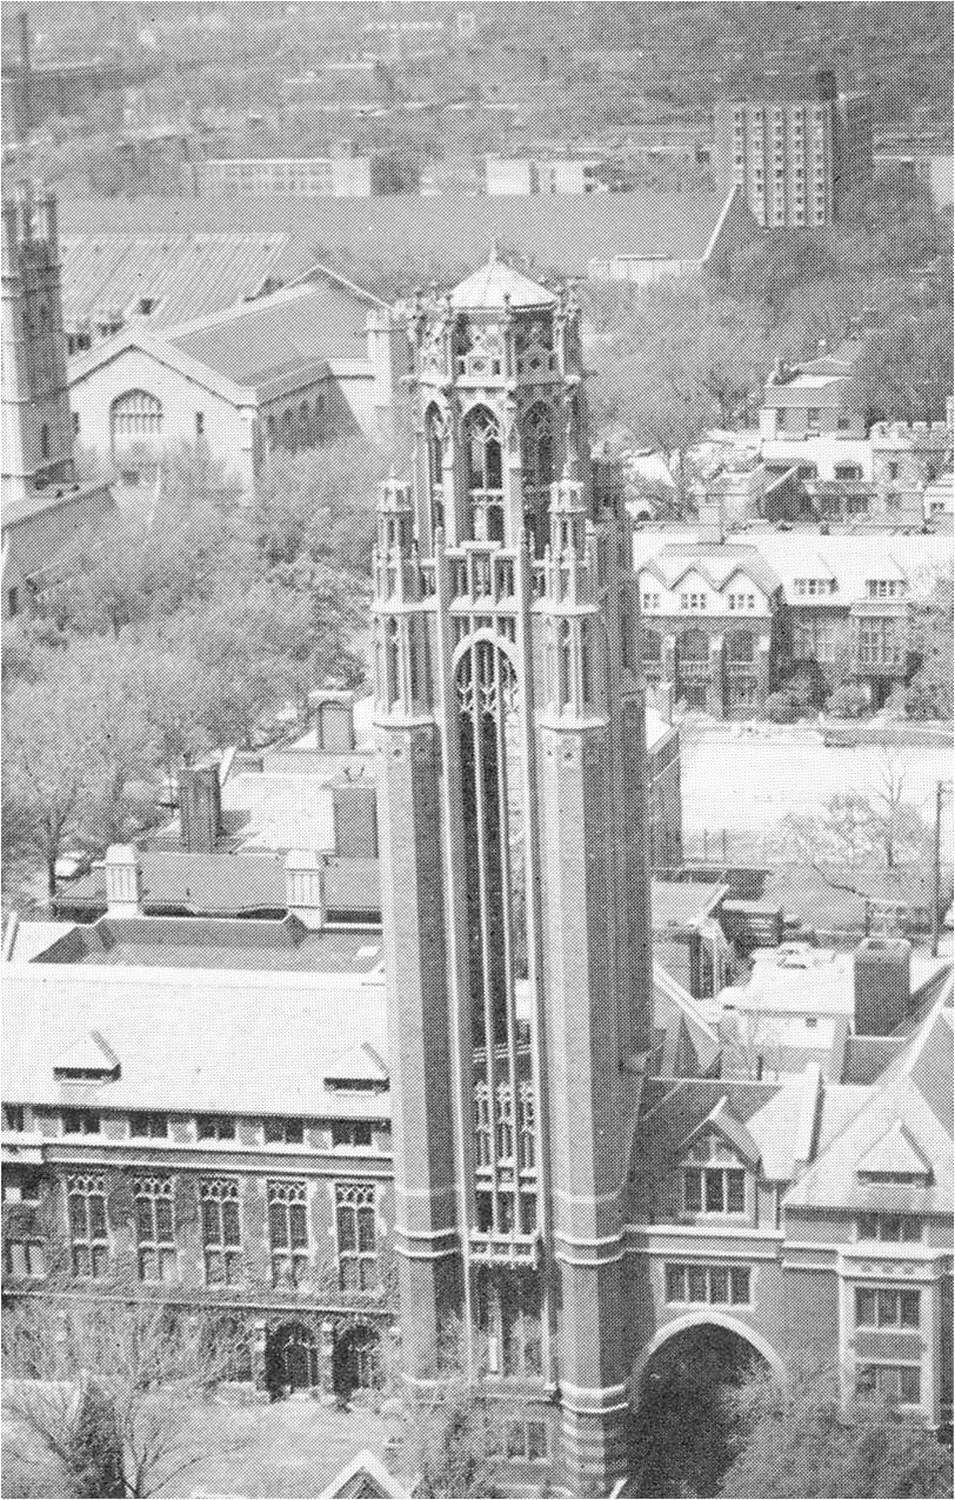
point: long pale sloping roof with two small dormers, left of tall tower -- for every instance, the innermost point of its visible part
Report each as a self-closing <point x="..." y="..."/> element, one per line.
<point x="238" y="1042"/>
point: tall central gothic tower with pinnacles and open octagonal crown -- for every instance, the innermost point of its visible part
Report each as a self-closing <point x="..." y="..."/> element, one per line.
<point x="510" y="731"/>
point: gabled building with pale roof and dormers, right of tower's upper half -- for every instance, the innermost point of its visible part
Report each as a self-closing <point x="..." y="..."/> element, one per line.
<point x="729" y="616"/>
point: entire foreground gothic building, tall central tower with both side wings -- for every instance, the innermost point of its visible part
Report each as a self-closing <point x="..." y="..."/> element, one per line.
<point x="567" y="1175"/>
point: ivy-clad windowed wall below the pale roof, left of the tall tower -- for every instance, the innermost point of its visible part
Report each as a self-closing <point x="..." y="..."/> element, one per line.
<point x="253" y="1228"/>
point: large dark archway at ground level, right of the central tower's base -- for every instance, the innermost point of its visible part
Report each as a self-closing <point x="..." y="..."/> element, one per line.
<point x="683" y="1424"/>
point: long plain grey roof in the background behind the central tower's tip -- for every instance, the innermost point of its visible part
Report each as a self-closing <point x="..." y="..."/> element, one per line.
<point x="551" y="232"/>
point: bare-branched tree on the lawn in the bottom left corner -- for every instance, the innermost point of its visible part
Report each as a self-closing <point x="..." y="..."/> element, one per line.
<point x="115" y="1396"/>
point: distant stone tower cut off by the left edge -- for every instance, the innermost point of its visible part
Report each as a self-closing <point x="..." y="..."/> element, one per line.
<point x="38" y="436"/>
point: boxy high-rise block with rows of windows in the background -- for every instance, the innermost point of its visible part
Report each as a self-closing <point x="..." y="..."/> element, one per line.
<point x="797" y="151"/>
